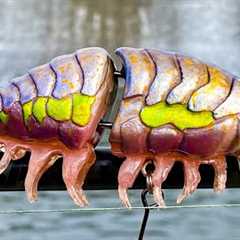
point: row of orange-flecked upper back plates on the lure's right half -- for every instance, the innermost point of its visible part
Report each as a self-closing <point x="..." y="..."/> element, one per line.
<point x="166" y="76"/>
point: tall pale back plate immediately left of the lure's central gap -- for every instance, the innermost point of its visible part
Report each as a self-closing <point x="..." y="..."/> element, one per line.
<point x="93" y="62"/>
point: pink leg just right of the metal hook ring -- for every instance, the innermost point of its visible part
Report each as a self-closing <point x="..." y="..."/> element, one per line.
<point x="163" y="165"/>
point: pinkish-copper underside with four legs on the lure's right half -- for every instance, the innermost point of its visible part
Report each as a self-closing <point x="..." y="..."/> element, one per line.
<point x="164" y="162"/>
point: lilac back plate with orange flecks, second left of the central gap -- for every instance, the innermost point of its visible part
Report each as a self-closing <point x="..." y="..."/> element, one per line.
<point x="69" y="76"/>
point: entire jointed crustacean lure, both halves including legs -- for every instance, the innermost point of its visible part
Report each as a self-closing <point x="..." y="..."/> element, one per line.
<point x="174" y="108"/>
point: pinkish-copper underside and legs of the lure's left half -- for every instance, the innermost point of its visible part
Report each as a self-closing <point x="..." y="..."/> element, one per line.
<point x="76" y="163"/>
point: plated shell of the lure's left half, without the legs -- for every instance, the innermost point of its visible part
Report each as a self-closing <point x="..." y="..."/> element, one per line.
<point x="56" y="97"/>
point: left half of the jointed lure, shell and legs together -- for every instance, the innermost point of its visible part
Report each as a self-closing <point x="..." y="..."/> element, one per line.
<point x="53" y="111"/>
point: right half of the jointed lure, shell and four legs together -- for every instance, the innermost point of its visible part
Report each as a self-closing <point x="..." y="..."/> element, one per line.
<point x="175" y="108"/>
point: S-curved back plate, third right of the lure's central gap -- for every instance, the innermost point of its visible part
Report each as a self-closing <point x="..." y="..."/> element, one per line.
<point x="194" y="75"/>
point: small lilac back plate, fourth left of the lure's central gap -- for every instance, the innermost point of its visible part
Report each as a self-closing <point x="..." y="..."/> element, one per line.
<point x="26" y="88"/>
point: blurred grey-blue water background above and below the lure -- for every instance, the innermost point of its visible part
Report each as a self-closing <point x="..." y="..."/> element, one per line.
<point x="32" y="33"/>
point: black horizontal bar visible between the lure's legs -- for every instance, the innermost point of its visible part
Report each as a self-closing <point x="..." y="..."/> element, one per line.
<point x="103" y="175"/>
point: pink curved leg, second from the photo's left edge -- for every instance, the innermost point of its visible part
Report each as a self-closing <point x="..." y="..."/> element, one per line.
<point x="39" y="162"/>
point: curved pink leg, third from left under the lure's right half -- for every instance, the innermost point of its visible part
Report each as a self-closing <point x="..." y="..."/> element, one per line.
<point x="191" y="177"/>
